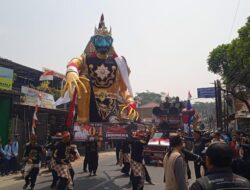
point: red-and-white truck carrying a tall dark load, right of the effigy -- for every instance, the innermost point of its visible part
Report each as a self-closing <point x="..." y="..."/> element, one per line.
<point x="168" y="115"/>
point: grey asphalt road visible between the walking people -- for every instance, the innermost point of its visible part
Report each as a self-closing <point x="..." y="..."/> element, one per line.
<point x="108" y="177"/>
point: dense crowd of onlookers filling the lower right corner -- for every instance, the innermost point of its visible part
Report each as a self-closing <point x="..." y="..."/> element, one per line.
<point x="225" y="164"/>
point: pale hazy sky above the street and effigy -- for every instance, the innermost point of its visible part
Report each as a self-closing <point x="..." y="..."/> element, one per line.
<point x="166" y="43"/>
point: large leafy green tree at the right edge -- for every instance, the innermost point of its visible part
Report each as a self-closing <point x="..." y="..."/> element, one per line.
<point x="232" y="62"/>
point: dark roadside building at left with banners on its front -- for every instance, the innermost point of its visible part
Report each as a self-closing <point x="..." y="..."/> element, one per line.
<point x="19" y="94"/>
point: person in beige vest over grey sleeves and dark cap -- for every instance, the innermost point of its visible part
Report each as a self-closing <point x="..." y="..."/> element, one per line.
<point x="175" y="168"/>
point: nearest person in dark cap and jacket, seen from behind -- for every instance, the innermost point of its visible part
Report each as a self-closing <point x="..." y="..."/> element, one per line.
<point x="219" y="175"/>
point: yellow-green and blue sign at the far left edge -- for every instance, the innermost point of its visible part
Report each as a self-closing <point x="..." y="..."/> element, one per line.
<point x="6" y="78"/>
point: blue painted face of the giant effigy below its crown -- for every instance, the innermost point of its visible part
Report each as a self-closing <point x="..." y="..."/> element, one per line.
<point x="102" y="43"/>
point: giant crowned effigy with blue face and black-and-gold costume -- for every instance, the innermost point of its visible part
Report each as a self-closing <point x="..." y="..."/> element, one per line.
<point x="100" y="78"/>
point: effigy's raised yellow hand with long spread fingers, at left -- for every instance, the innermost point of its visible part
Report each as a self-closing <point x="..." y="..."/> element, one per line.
<point x="73" y="79"/>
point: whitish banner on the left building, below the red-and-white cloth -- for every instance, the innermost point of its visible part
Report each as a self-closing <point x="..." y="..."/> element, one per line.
<point x="31" y="97"/>
